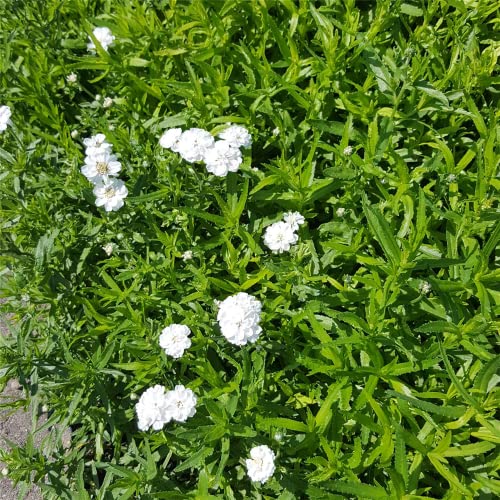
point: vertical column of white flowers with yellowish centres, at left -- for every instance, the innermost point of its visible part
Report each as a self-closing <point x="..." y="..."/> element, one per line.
<point x="101" y="168"/>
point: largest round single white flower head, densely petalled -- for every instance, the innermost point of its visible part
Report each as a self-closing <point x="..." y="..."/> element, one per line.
<point x="239" y="318"/>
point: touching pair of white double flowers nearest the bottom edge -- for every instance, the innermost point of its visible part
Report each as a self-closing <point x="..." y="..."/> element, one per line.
<point x="157" y="407"/>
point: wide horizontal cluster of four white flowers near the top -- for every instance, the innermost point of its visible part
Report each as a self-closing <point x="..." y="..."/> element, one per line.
<point x="196" y="144"/>
